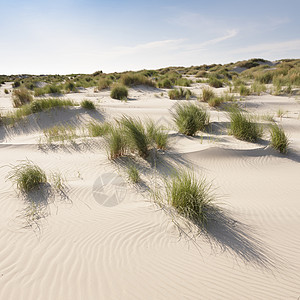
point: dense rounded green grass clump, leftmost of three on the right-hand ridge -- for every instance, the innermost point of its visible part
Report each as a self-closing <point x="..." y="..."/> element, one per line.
<point x="190" y="118"/>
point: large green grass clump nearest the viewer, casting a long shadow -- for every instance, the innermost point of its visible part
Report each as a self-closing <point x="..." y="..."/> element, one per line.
<point x="191" y="197"/>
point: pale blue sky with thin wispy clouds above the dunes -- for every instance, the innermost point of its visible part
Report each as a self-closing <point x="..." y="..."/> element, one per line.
<point x="76" y="36"/>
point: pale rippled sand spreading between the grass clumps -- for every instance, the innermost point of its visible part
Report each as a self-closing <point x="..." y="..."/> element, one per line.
<point x="81" y="249"/>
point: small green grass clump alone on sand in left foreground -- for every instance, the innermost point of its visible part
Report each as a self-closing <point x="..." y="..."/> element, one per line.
<point x="27" y="176"/>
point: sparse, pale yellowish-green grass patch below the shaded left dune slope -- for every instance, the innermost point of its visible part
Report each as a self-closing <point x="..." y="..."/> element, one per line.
<point x="60" y="133"/>
